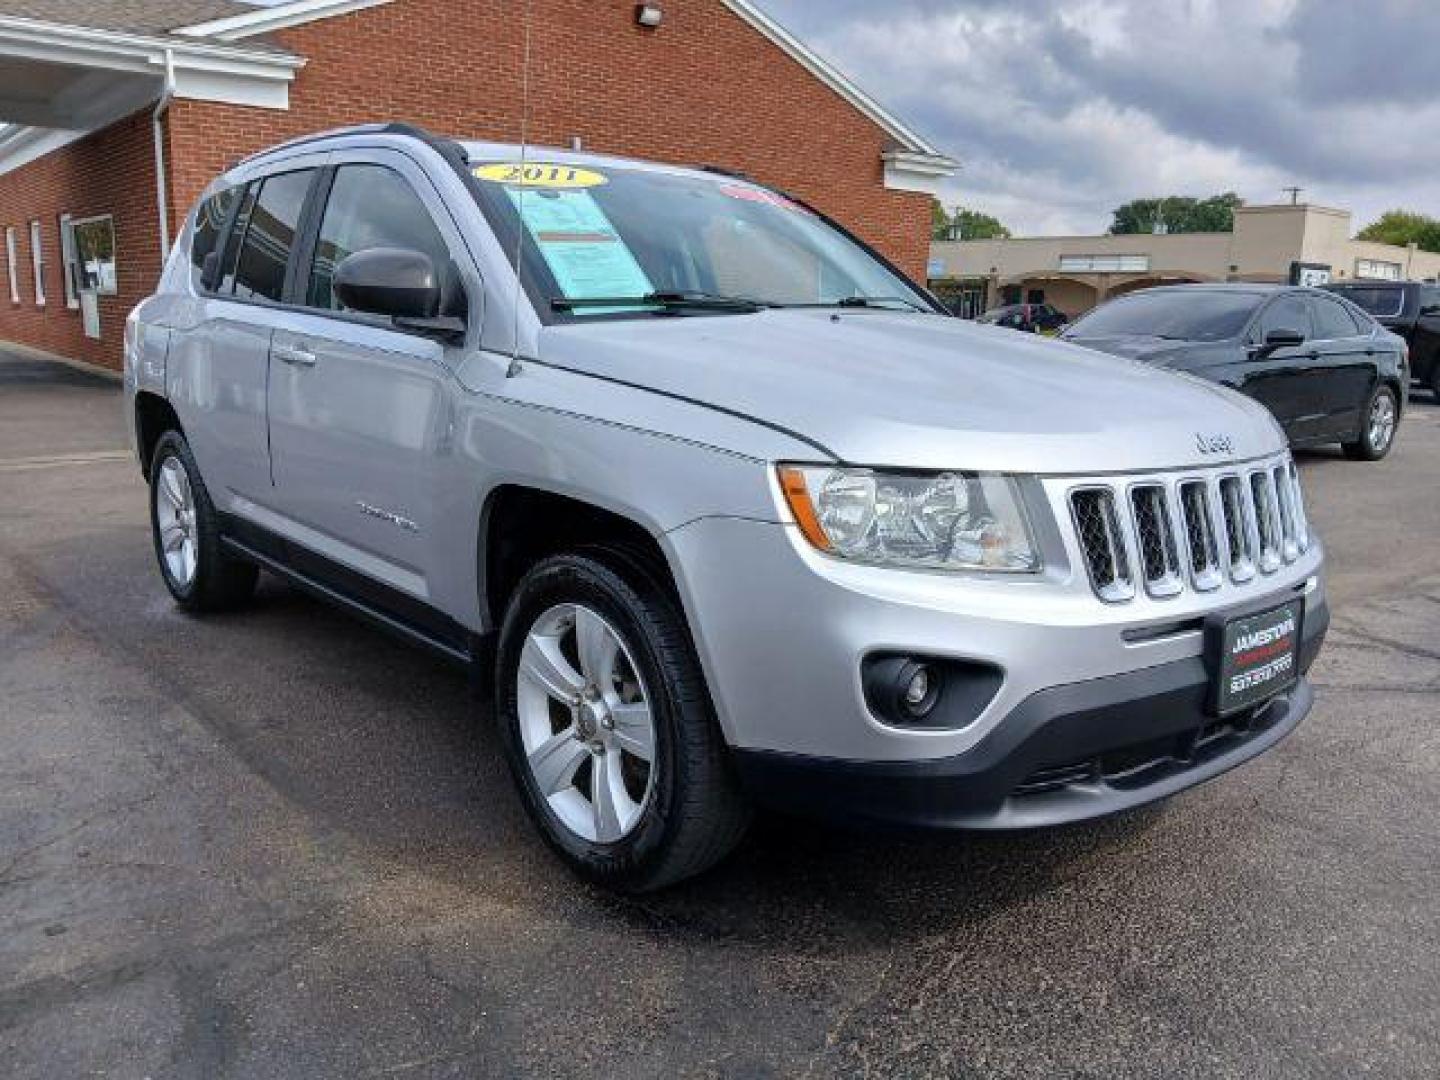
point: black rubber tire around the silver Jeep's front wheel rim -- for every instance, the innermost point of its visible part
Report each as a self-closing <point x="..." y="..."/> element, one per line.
<point x="695" y="814"/>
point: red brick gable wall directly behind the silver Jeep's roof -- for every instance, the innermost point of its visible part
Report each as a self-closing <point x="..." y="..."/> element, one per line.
<point x="705" y="89"/>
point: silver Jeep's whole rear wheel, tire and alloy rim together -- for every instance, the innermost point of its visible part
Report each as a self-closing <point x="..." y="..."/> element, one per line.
<point x="186" y="534"/>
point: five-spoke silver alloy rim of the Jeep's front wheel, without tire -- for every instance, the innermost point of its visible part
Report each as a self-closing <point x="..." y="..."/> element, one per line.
<point x="587" y="724"/>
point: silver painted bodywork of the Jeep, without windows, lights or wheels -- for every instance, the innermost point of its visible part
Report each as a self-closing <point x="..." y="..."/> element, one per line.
<point x="384" y="454"/>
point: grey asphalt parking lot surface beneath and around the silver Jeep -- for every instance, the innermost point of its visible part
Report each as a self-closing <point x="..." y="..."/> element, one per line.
<point x="279" y="845"/>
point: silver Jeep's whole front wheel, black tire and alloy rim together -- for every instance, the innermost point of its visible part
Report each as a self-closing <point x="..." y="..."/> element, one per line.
<point x="608" y="728"/>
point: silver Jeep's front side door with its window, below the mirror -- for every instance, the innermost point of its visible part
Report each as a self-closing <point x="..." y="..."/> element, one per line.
<point x="359" y="410"/>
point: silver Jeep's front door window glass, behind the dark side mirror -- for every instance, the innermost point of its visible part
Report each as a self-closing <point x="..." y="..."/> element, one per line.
<point x="369" y="207"/>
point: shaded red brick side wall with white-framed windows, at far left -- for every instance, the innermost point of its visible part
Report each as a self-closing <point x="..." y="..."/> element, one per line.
<point x="110" y="172"/>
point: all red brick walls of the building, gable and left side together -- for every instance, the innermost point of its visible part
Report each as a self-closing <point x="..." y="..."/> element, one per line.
<point x="705" y="89"/>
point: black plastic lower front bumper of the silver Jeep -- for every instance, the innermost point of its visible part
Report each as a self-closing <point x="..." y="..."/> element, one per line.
<point x="1066" y="754"/>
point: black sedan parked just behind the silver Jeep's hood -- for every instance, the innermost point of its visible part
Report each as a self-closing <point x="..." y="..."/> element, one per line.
<point x="1326" y="369"/>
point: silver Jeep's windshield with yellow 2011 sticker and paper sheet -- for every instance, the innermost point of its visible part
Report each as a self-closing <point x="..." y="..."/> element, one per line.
<point x="606" y="233"/>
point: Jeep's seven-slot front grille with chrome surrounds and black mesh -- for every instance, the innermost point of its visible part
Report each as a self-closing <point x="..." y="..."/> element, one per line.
<point x="1163" y="534"/>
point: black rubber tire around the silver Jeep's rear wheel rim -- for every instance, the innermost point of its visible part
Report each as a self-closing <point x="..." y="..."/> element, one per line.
<point x="221" y="582"/>
